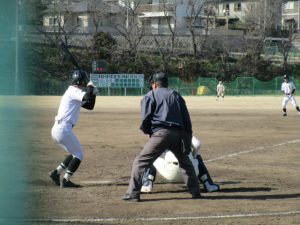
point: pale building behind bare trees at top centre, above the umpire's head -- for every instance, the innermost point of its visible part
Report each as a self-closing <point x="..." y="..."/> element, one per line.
<point x="162" y="16"/>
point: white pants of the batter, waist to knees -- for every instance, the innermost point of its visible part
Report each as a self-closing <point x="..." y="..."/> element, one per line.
<point x="63" y="134"/>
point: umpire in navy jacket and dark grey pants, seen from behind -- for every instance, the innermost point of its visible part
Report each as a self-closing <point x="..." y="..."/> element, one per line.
<point x="166" y="119"/>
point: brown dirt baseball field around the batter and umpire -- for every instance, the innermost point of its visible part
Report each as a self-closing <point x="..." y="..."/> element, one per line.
<point x="250" y="149"/>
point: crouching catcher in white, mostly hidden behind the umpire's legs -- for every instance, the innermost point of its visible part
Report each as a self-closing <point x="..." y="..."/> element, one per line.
<point x="167" y="165"/>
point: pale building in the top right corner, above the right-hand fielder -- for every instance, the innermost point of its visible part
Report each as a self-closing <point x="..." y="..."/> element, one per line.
<point x="291" y="14"/>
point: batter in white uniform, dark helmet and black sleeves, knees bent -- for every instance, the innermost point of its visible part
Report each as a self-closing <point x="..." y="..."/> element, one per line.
<point x="73" y="99"/>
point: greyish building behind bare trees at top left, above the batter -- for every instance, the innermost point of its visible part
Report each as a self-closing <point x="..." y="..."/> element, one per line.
<point x="80" y="16"/>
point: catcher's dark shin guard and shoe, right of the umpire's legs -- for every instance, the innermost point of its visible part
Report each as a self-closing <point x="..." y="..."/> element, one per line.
<point x="205" y="178"/>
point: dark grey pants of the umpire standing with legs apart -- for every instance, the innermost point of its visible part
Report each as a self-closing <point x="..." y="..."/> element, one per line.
<point x="157" y="144"/>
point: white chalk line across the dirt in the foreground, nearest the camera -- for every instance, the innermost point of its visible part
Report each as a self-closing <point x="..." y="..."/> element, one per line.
<point x="171" y="218"/>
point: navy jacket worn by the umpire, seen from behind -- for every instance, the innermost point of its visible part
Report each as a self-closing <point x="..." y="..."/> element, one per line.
<point x="164" y="108"/>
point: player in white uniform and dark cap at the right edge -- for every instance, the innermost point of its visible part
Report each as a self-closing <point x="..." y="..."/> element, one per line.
<point x="288" y="88"/>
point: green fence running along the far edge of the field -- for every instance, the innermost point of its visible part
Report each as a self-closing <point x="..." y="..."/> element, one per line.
<point x="201" y="87"/>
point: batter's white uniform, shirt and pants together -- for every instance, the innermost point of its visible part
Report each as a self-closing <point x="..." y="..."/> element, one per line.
<point x="67" y="117"/>
